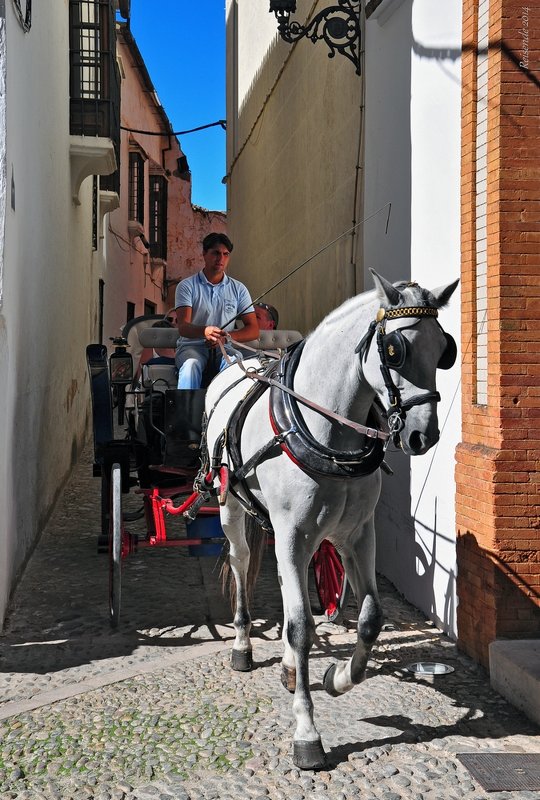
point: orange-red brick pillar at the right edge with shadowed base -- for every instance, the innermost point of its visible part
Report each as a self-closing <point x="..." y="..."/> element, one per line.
<point x="498" y="460"/>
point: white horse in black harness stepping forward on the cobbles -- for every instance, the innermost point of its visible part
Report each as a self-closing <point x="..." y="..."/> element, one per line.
<point x="309" y="476"/>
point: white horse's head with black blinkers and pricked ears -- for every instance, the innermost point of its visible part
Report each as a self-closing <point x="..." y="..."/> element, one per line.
<point x="400" y="355"/>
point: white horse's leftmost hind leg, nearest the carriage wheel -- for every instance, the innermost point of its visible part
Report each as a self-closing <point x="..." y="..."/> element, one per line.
<point x="233" y="520"/>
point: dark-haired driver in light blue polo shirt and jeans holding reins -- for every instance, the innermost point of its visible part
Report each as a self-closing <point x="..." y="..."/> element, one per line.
<point x="207" y="305"/>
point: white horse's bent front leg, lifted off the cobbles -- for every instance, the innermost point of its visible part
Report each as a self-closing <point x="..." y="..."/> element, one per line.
<point x="360" y="568"/>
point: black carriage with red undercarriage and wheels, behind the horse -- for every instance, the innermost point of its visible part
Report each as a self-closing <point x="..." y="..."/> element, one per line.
<point x="152" y="449"/>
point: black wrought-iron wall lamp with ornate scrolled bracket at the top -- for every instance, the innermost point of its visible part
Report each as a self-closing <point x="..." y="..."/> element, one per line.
<point x="338" y="25"/>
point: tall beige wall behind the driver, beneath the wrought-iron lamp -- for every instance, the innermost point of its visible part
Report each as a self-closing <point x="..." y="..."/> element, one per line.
<point x="294" y="125"/>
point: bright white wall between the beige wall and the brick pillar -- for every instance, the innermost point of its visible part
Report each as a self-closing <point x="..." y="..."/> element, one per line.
<point x="412" y="159"/>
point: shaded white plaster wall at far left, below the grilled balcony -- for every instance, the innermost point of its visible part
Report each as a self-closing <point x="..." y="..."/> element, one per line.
<point x="48" y="282"/>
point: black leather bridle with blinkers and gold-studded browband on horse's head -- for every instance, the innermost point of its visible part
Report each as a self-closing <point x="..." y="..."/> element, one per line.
<point x="392" y="349"/>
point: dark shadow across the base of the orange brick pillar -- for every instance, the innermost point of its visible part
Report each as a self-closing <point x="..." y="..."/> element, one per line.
<point x="495" y="599"/>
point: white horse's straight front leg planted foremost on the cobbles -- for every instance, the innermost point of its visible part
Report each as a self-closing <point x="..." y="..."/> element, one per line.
<point x="298" y="637"/>
